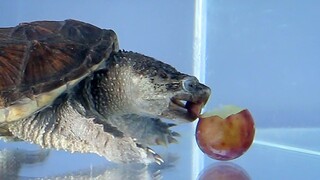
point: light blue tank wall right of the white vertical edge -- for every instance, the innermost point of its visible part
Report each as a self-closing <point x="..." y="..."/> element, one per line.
<point x="264" y="56"/>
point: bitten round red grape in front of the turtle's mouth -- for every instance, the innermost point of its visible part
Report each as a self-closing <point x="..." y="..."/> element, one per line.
<point x="226" y="133"/>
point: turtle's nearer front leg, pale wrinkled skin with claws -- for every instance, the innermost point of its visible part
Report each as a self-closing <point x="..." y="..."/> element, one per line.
<point x="62" y="127"/>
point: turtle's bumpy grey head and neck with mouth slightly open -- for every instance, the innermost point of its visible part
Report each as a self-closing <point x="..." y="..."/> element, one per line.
<point x="137" y="84"/>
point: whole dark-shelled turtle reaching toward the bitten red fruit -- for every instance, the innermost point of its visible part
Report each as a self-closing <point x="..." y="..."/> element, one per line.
<point x="66" y="85"/>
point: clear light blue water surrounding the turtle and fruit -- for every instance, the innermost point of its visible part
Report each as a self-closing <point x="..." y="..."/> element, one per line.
<point x="259" y="55"/>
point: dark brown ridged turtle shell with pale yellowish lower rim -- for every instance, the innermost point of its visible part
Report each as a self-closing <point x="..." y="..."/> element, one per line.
<point x="41" y="60"/>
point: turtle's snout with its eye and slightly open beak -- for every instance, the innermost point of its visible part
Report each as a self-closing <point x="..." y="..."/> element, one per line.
<point x="186" y="105"/>
